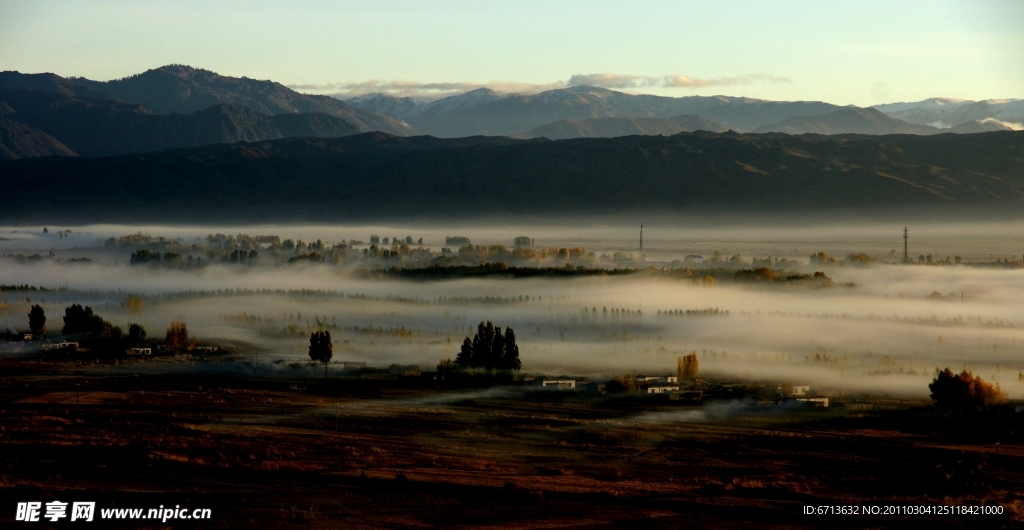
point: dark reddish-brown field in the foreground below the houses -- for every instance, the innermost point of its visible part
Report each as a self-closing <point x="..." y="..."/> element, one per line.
<point x="351" y="454"/>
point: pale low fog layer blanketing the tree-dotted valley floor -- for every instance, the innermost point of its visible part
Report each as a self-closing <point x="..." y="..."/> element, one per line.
<point x="886" y="334"/>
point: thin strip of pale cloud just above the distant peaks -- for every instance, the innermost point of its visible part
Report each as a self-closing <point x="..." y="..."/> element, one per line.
<point x="438" y="91"/>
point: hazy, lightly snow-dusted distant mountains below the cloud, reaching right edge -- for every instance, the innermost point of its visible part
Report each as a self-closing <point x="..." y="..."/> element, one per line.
<point x="486" y="112"/>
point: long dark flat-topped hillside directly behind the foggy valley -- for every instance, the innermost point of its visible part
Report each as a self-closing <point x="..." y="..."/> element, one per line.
<point x="378" y="176"/>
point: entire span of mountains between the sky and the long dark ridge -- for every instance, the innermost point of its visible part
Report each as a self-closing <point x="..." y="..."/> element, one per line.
<point x="181" y="107"/>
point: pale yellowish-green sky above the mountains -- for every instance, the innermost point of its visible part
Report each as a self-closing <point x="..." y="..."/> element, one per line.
<point x="864" y="53"/>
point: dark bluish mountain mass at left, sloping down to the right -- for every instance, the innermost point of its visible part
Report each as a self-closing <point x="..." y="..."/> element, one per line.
<point x="173" y="107"/>
